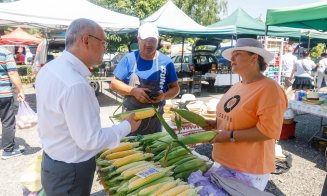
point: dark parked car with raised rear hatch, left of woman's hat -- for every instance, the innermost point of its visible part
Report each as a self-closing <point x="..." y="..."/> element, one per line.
<point x="204" y="54"/>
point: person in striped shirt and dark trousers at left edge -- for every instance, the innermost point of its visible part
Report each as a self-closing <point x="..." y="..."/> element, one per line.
<point x="9" y="77"/>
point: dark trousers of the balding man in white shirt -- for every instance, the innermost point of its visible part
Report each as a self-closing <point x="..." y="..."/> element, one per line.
<point x="60" y="178"/>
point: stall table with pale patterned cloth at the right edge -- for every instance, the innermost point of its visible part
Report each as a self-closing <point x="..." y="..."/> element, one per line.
<point x="301" y="108"/>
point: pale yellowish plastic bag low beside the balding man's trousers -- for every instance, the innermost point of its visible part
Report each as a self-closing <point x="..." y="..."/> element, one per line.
<point x="31" y="178"/>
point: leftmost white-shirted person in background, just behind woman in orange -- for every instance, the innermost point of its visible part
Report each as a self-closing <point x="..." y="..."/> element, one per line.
<point x="288" y="62"/>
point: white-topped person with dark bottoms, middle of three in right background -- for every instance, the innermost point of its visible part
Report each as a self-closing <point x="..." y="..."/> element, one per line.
<point x="302" y="73"/>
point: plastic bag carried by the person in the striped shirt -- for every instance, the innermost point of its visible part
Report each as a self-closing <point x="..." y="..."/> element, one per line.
<point x="26" y="118"/>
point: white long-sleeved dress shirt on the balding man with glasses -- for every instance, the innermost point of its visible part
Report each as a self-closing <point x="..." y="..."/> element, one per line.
<point x="68" y="112"/>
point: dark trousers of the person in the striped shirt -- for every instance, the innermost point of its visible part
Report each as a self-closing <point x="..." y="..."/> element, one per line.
<point x="7" y="115"/>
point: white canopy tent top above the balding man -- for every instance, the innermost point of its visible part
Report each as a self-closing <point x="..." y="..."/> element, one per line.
<point x="58" y="14"/>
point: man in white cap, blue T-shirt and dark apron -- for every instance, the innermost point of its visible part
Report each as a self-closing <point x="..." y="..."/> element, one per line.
<point x="146" y="77"/>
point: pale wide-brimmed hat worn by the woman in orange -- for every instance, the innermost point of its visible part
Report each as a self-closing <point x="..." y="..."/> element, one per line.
<point x="250" y="45"/>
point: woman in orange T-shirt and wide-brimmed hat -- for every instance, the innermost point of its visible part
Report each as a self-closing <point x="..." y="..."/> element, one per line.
<point x="249" y="118"/>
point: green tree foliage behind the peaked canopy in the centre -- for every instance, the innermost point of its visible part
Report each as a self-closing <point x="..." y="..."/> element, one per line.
<point x="204" y="12"/>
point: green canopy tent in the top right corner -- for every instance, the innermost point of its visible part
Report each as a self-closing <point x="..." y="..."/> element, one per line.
<point x="310" y="16"/>
